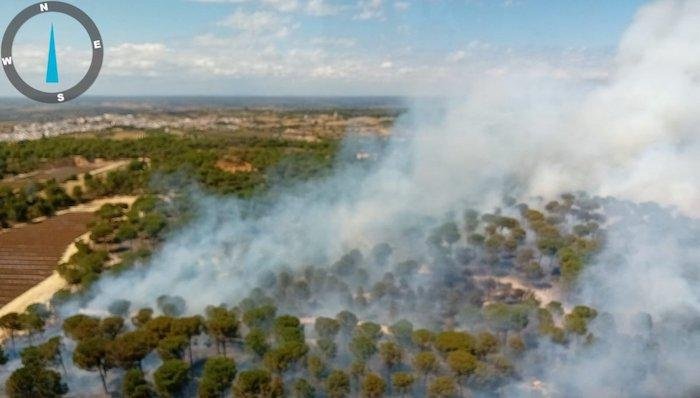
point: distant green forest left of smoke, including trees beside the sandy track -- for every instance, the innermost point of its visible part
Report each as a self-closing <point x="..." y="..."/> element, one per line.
<point x="156" y="156"/>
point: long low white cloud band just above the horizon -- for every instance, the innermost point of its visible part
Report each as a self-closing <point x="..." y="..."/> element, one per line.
<point x="338" y="66"/>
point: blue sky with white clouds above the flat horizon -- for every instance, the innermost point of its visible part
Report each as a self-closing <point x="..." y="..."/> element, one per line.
<point x="327" y="47"/>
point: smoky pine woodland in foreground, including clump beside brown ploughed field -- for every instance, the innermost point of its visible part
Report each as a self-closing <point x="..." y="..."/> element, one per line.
<point x="439" y="326"/>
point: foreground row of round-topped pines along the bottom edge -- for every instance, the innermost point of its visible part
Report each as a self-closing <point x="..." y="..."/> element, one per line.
<point x="251" y="351"/>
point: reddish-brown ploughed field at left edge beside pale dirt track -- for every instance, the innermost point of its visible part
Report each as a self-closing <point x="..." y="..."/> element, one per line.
<point x="30" y="253"/>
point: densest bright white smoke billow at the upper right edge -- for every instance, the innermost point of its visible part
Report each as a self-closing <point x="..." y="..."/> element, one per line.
<point x="645" y="123"/>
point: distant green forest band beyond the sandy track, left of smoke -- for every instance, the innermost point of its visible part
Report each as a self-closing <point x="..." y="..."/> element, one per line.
<point x="195" y="155"/>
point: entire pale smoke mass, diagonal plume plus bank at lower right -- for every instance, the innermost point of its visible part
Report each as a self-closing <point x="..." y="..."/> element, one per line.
<point x="634" y="137"/>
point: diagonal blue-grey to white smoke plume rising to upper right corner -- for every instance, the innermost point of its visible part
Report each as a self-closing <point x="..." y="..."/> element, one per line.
<point x="634" y="138"/>
